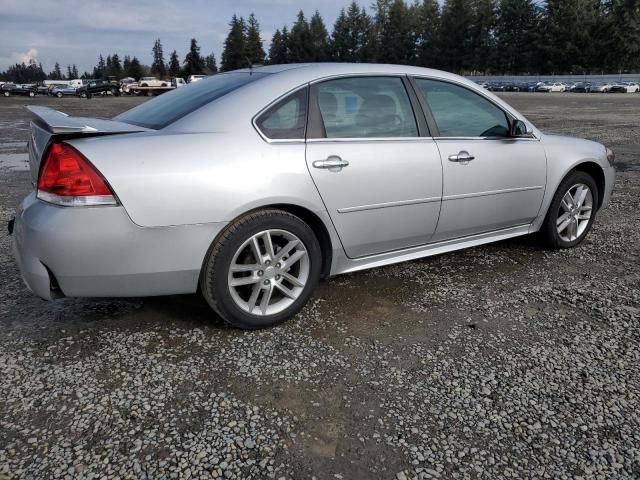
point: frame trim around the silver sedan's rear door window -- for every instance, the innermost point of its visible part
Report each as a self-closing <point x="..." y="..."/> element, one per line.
<point x="315" y="127"/>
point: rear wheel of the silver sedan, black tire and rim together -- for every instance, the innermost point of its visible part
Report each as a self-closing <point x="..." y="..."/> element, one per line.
<point x="267" y="291"/>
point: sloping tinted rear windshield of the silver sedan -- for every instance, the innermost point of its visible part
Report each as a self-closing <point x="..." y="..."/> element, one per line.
<point x="171" y="106"/>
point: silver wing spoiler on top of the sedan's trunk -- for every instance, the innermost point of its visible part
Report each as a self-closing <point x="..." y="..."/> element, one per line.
<point x="61" y="123"/>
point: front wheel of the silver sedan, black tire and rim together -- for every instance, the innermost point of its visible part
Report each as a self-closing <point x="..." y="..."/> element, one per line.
<point x="568" y="222"/>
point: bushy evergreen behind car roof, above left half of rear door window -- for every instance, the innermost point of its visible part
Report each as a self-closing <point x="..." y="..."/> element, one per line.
<point x="352" y="38"/>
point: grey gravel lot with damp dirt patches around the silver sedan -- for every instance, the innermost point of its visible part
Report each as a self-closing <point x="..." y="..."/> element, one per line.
<point x="501" y="361"/>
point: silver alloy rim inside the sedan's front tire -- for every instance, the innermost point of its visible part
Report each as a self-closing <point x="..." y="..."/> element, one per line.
<point x="575" y="212"/>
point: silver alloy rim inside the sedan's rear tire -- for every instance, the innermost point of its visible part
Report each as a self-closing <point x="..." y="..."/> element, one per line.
<point x="268" y="272"/>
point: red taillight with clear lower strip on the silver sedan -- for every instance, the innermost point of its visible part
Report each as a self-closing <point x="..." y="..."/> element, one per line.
<point x="68" y="178"/>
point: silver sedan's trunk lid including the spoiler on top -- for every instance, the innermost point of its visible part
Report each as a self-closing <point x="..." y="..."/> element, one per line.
<point x="49" y="124"/>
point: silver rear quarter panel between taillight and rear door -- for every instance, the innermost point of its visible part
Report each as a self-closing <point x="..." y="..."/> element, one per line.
<point x="180" y="178"/>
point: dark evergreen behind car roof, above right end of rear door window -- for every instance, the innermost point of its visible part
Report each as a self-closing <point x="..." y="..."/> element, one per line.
<point x="397" y="35"/>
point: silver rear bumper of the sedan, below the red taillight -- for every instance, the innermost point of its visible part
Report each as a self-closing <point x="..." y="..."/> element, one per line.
<point x="100" y="252"/>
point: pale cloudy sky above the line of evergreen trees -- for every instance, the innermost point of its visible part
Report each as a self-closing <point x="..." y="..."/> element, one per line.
<point x="77" y="31"/>
